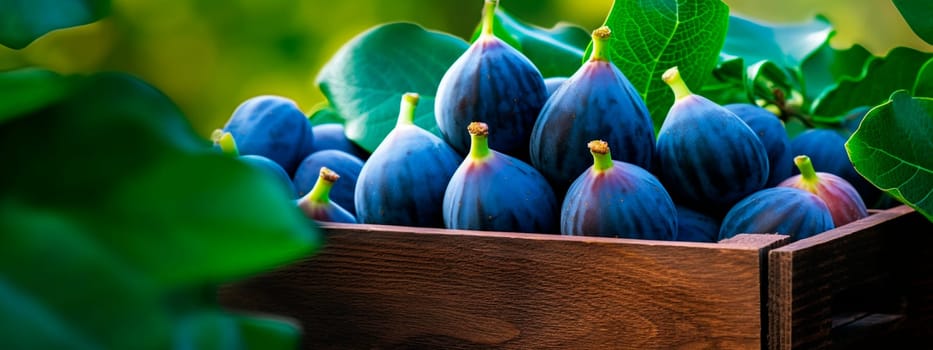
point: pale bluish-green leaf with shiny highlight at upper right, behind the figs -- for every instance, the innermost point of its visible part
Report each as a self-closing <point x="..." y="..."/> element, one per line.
<point x="787" y="45"/>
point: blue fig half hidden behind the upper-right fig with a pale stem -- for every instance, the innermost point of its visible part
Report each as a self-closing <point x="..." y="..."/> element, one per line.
<point x="771" y="132"/>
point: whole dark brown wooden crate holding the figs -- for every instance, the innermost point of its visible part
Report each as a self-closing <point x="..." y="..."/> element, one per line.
<point x="387" y="287"/>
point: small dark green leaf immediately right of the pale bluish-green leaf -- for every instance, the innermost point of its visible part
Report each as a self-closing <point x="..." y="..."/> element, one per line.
<point x="827" y="65"/>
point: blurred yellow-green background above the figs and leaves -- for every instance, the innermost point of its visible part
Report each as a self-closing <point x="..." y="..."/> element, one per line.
<point x="208" y="56"/>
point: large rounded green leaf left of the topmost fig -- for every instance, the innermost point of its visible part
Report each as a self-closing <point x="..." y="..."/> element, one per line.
<point x="364" y="81"/>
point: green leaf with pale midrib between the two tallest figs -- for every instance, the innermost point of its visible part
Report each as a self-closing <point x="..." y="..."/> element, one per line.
<point x="556" y="52"/>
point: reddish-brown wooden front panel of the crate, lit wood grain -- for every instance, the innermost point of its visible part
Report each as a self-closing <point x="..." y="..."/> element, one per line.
<point x="386" y="287"/>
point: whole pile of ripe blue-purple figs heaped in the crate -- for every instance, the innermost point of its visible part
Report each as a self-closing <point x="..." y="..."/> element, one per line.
<point x="574" y="155"/>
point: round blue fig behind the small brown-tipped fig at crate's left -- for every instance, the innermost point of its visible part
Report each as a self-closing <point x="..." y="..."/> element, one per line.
<point x="343" y="163"/>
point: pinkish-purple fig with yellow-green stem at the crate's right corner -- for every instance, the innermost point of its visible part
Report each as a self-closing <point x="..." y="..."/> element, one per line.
<point x="844" y="202"/>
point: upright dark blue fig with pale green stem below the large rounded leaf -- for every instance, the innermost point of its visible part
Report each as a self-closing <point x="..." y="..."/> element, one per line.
<point x="403" y="181"/>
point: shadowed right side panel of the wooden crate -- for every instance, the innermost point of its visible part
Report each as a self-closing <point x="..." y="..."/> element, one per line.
<point x="865" y="284"/>
